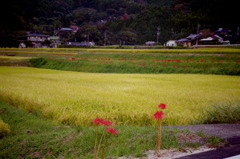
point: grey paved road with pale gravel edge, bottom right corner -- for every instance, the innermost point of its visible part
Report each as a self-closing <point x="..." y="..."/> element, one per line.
<point x="231" y="132"/>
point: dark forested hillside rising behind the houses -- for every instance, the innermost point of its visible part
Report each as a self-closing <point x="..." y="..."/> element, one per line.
<point x="132" y="21"/>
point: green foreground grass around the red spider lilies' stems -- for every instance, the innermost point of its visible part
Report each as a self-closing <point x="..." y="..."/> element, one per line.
<point x="36" y="137"/>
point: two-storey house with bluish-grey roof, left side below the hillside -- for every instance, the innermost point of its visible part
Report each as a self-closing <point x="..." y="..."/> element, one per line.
<point x="38" y="40"/>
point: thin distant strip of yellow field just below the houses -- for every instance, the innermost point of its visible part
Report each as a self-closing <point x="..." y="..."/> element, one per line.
<point x="70" y="51"/>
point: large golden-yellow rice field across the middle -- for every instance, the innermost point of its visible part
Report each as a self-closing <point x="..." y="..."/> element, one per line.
<point x="127" y="99"/>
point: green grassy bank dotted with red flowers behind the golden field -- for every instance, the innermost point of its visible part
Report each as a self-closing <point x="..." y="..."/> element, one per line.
<point x="145" y="63"/>
